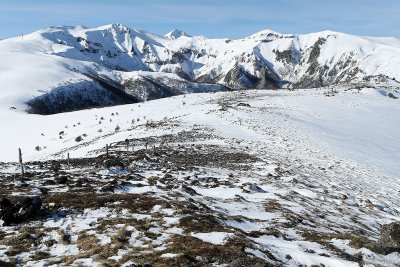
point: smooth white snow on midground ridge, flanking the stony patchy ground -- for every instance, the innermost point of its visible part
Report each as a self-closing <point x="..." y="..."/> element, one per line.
<point x="361" y="126"/>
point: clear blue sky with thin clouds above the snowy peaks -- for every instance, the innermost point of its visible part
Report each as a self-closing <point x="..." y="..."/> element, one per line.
<point x="212" y="18"/>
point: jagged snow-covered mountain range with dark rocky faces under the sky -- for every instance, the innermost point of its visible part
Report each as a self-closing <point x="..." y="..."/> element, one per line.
<point x="68" y="68"/>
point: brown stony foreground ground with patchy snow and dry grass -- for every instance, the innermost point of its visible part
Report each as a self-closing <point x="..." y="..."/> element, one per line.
<point x="201" y="198"/>
